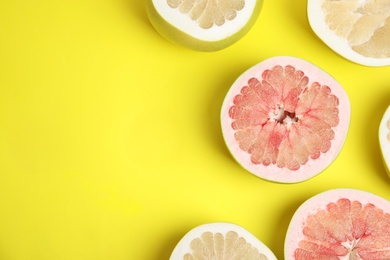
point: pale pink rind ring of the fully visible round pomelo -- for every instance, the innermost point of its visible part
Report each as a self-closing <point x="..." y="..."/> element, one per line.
<point x="312" y="167"/>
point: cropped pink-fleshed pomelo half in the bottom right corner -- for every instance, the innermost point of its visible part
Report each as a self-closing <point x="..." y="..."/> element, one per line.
<point x="340" y="224"/>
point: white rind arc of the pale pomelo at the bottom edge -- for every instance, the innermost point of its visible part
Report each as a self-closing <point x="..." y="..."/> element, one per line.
<point x="183" y="246"/>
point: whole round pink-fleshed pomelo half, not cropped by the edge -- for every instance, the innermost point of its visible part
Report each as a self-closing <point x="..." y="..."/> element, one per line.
<point x="285" y="120"/>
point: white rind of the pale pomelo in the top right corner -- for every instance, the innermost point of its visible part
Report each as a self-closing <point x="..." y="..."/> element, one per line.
<point x="316" y="20"/>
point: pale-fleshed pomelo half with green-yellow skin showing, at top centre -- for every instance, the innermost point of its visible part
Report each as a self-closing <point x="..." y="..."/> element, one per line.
<point x="203" y="25"/>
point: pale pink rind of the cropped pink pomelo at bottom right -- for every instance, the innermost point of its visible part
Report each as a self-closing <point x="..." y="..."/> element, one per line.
<point x="319" y="202"/>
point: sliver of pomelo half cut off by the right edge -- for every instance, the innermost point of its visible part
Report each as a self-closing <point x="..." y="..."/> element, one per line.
<point x="384" y="139"/>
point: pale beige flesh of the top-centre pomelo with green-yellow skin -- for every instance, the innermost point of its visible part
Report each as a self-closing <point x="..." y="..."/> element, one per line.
<point x="208" y="13"/>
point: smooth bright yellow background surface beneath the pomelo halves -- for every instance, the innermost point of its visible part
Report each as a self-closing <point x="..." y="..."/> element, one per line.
<point x="110" y="142"/>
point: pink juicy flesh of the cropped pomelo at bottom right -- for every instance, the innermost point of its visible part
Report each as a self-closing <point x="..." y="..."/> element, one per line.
<point x="346" y="228"/>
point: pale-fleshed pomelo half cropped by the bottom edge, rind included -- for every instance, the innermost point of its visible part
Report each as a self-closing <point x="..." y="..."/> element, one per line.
<point x="221" y="241"/>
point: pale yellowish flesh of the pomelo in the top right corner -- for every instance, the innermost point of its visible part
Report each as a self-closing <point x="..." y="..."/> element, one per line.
<point x="364" y="24"/>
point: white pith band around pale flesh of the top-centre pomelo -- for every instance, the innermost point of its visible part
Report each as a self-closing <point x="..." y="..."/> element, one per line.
<point x="184" y="23"/>
